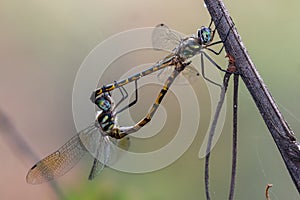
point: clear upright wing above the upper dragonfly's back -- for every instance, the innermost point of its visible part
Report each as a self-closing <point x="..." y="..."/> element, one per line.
<point x="164" y="38"/>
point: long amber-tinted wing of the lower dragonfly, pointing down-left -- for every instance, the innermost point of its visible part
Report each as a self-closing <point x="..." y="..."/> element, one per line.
<point x="59" y="162"/>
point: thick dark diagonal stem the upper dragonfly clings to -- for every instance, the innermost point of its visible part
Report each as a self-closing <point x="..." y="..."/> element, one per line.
<point x="283" y="136"/>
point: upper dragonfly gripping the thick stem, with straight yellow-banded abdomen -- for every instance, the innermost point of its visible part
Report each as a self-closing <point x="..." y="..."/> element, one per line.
<point x="182" y="51"/>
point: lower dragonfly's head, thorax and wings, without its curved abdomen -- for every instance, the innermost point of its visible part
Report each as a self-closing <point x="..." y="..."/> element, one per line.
<point x="99" y="139"/>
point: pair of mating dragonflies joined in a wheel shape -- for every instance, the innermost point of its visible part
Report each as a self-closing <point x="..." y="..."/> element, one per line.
<point x="102" y="135"/>
